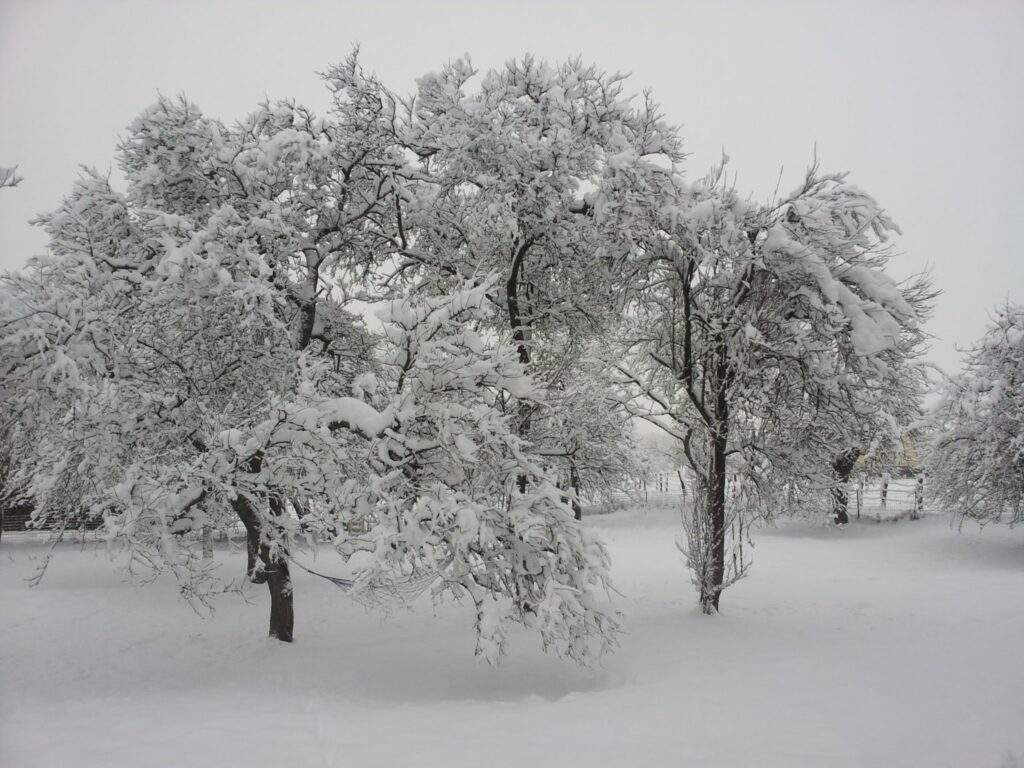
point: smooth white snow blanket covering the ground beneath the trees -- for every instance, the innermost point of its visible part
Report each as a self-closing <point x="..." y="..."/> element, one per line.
<point x="878" y="646"/>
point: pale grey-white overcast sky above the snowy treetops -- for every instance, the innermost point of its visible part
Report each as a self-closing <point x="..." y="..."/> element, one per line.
<point x="922" y="102"/>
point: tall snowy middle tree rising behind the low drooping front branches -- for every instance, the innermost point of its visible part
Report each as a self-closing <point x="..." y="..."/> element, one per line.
<point x="532" y="173"/>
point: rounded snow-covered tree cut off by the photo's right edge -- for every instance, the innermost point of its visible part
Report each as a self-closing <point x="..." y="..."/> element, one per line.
<point x="976" y="458"/>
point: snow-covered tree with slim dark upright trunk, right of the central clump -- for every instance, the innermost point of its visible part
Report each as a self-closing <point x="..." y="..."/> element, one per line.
<point x="752" y="328"/>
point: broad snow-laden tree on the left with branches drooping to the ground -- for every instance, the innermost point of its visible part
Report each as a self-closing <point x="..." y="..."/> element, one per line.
<point x="184" y="359"/>
